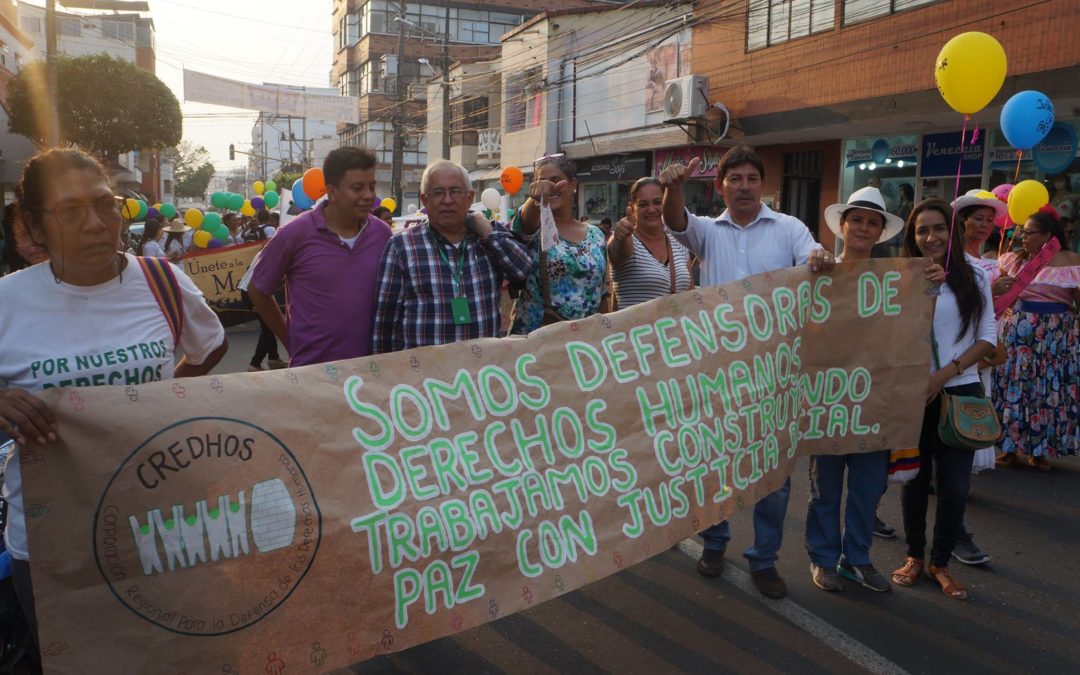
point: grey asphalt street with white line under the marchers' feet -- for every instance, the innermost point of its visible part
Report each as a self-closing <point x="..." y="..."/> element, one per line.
<point x="661" y="616"/>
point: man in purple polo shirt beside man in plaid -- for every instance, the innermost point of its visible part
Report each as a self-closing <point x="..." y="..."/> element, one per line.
<point x="329" y="261"/>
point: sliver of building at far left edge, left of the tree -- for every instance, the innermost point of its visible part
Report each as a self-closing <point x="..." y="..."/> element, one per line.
<point x="17" y="49"/>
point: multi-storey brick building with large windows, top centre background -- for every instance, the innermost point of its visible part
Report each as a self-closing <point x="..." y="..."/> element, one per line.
<point x="367" y="64"/>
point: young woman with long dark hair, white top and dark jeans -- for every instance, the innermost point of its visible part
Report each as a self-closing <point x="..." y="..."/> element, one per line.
<point x="963" y="333"/>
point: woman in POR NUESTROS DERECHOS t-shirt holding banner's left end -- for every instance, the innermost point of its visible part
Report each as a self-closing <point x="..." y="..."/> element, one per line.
<point x="88" y="316"/>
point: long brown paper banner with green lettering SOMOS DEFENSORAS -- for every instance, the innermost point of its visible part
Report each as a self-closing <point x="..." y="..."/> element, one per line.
<point x="309" y="519"/>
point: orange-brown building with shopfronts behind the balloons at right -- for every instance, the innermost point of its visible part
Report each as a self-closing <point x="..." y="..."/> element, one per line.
<point x="840" y="94"/>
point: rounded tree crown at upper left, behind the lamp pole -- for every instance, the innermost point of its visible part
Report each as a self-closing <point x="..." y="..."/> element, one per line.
<point x="107" y="106"/>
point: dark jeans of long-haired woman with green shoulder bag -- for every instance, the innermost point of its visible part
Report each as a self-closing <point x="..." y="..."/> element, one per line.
<point x="951" y="489"/>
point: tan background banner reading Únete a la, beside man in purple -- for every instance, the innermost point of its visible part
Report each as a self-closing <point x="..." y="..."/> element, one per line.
<point x="218" y="272"/>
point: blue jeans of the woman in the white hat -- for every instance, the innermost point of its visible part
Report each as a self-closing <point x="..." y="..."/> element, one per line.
<point x="868" y="478"/>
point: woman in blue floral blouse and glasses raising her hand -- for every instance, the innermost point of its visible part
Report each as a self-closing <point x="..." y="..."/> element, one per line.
<point x="570" y="280"/>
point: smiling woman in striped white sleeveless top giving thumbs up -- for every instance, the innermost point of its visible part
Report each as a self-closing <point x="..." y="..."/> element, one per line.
<point x="646" y="261"/>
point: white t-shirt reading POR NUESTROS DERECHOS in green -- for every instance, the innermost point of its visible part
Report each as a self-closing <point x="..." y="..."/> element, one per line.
<point x="60" y="335"/>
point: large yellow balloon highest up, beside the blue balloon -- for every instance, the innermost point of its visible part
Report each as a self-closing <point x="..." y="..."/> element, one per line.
<point x="970" y="71"/>
